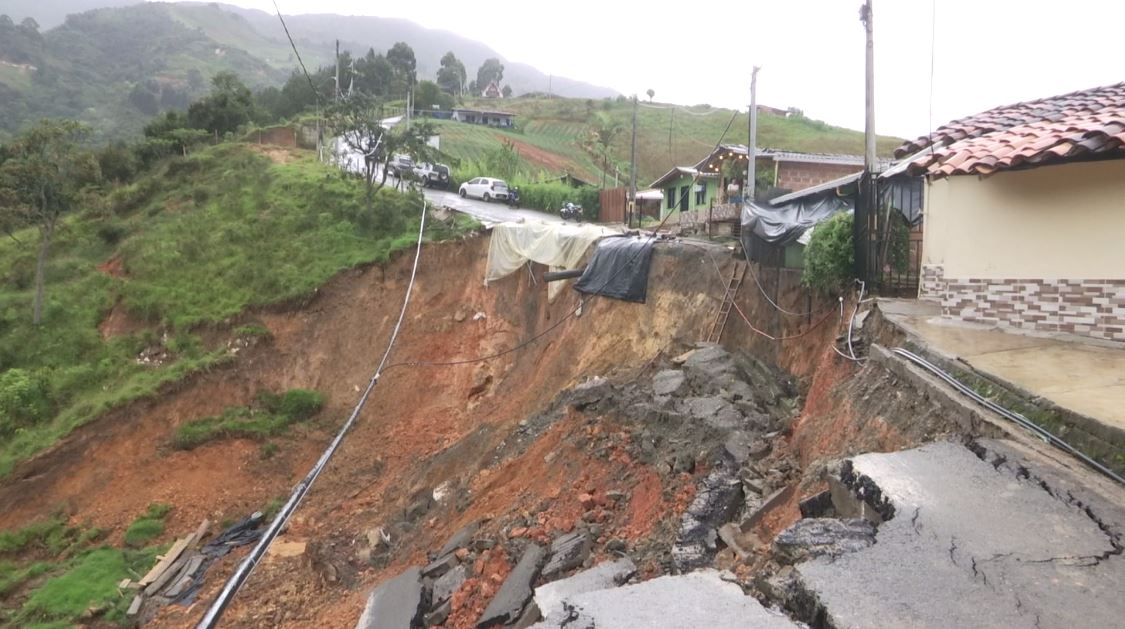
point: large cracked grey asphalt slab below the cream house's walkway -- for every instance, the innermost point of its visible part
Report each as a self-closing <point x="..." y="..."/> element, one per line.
<point x="971" y="545"/>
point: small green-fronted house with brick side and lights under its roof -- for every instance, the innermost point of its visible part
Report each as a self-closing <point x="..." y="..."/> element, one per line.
<point x="721" y="176"/>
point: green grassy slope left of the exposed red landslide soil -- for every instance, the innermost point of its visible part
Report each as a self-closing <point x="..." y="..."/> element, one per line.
<point x="196" y="242"/>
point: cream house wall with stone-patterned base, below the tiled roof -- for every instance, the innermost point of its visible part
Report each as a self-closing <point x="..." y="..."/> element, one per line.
<point x="1039" y="249"/>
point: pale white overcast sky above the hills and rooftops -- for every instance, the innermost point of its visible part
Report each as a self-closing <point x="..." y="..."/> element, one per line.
<point x="986" y="52"/>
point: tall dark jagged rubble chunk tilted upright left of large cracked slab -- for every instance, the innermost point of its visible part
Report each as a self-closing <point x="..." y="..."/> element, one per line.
<point x="717" y="500"/>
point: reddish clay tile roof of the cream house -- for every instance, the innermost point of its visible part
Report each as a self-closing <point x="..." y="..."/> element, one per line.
<point x="1073" y="127"/>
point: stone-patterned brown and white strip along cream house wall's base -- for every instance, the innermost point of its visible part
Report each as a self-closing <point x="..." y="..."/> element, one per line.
<point x="1088" y="308"/>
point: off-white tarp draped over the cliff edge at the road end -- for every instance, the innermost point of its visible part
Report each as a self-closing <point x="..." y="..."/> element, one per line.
<point x="560" y="246"/>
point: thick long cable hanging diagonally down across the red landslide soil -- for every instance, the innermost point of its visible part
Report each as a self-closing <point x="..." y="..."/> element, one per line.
<point x="248" y="565"/>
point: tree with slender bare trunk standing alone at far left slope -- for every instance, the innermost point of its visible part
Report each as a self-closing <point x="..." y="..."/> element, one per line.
<point x="40" y="183"/>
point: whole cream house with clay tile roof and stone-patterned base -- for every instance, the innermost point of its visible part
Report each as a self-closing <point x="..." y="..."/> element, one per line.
<point x="1024" y="214"/>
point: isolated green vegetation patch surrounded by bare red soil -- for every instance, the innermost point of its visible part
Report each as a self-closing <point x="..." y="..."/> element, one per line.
<point x="273" y="416"/>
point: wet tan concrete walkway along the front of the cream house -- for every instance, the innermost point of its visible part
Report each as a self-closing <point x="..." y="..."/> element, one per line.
<point x="1085" y="378"/>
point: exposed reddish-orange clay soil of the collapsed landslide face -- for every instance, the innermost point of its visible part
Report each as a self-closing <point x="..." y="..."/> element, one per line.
<point x="424" y="428"/>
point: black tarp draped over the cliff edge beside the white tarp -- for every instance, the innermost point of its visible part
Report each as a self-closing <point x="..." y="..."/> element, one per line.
<point x="619" y="269"/>
